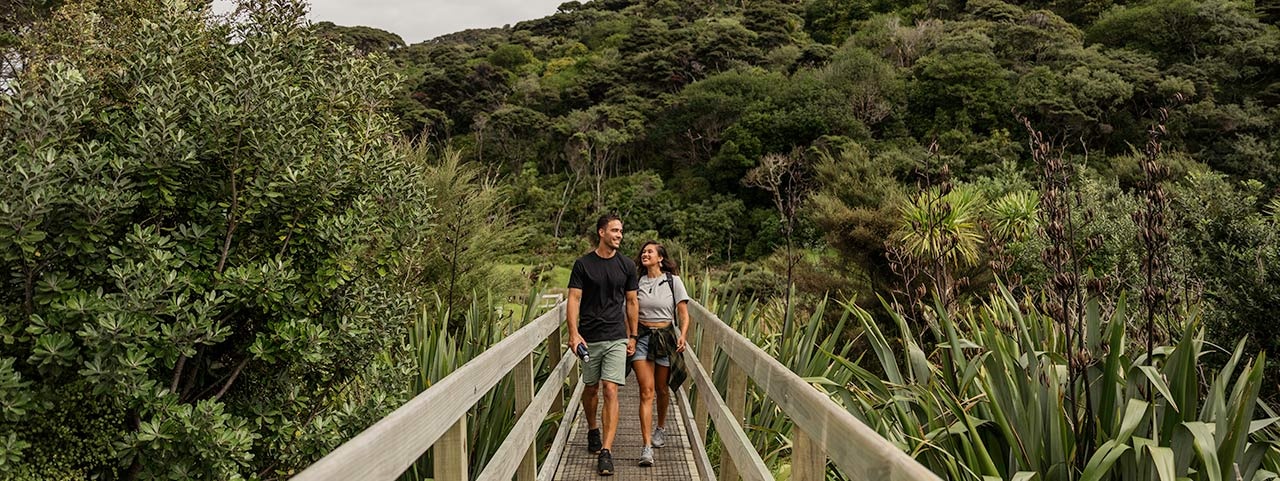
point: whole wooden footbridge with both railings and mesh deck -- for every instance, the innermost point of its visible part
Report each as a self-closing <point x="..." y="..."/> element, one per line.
<point x="437" y="420"/>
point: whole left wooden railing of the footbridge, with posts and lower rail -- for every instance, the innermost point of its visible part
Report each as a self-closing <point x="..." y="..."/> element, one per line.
<point x="437" y="418"/>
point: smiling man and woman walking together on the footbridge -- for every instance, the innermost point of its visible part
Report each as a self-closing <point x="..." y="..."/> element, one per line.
<point x="618" y="313"/>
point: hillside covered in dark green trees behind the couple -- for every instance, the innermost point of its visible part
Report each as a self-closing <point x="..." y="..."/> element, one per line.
<point x="661" y="111"/>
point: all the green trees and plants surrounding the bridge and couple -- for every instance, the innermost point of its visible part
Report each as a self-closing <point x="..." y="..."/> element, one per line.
<point x="1026" y="240"/>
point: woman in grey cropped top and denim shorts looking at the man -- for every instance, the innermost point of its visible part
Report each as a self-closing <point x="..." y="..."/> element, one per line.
<point x="662" y="299"/>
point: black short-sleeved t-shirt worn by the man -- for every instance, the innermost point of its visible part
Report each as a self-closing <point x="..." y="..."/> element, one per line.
<point x="605" y="283"/>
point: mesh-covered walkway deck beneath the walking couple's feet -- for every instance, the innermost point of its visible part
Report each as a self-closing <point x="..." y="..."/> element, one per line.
<point x="674" y="462"/>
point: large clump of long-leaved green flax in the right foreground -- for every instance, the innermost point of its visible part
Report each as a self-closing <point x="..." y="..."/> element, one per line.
<point x="989" y="401"/>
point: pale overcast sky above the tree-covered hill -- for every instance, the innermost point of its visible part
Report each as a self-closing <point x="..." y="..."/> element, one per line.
<point x="422" y="20"/>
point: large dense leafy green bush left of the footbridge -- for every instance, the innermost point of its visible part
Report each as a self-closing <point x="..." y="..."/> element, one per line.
<point x="200" y="237"/>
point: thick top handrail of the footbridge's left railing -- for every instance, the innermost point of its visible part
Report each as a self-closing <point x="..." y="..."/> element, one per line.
<point x="391" y="446"/>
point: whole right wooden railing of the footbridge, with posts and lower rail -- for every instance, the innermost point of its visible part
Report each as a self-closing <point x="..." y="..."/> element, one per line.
<point x="822" y="428"/>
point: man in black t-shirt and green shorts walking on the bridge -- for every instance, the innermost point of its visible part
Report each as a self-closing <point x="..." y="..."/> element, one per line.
<point x="604" y="314"/>
